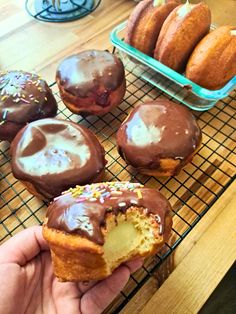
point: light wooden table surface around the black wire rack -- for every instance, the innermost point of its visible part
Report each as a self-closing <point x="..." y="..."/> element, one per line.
<point x="205" y="255"/>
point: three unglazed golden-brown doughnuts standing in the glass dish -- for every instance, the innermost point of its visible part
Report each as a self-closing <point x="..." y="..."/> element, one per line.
<point x="179" y="38"/>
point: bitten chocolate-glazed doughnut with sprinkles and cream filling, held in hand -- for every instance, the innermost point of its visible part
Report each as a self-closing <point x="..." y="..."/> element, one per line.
<point x="92" y="229"/>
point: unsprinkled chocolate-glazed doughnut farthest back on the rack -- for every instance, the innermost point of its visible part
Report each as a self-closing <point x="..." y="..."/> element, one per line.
<point x="91" y="82"/>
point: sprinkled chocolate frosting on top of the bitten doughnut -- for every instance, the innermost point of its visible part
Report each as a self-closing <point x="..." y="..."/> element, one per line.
<point x="83" y="210"/>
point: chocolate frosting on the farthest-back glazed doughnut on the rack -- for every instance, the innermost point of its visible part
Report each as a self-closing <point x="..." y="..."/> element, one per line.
<point x="86" y="72"/>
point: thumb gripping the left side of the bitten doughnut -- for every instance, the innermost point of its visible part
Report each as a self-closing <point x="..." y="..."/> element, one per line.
<point x="23" y="246"/>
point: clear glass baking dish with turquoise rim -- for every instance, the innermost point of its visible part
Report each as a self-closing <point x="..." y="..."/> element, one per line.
<point x="166" y="79"/>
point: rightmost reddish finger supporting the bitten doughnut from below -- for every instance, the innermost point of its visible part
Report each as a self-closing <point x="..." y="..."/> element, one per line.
<point x="100" y="296"/>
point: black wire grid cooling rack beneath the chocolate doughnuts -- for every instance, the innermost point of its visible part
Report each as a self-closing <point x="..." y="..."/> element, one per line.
<point x="191" y="193"/>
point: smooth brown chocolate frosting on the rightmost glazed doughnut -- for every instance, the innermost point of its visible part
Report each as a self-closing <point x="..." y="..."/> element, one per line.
<point x="155" y="130"/>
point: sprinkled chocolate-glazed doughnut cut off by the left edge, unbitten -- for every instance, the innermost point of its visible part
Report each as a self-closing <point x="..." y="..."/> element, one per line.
<point x="25" y="97"/>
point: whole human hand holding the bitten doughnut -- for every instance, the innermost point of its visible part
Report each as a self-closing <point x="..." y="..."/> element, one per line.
<point x="28" y="284"/>
